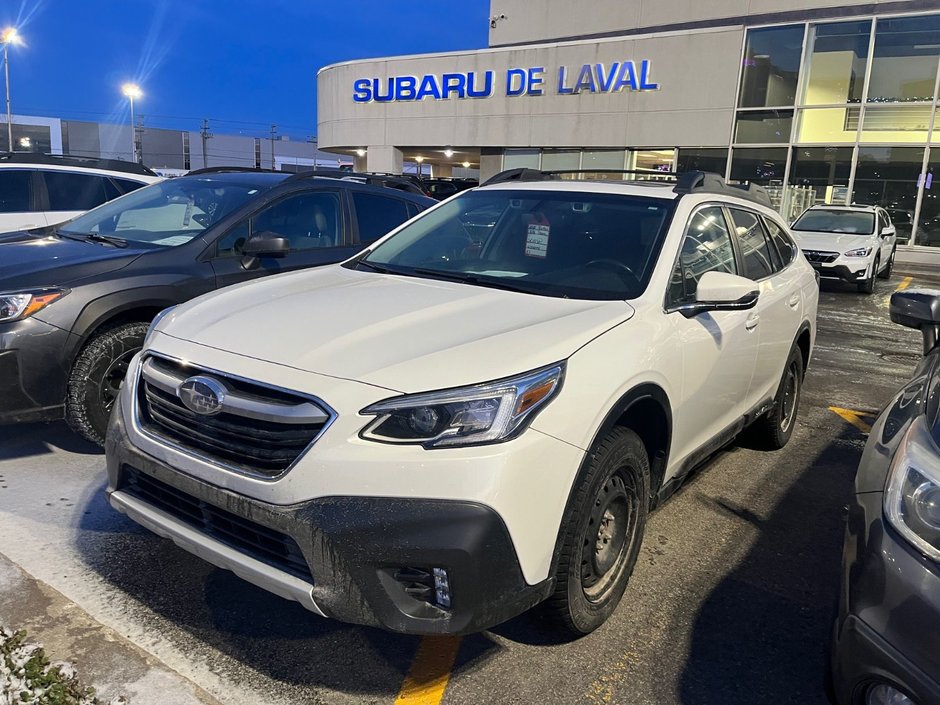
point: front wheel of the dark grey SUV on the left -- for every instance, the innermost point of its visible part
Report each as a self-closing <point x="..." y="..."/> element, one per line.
<point x="96" y="379"/>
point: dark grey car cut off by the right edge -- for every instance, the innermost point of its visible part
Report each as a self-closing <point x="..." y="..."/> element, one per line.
<point x="886" y="646"/>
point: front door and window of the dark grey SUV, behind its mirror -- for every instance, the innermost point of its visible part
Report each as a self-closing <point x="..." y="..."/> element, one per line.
<point x="314" y="221"/>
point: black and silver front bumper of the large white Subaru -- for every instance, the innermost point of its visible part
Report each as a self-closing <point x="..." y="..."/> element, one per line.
<point x="355" y="547"/>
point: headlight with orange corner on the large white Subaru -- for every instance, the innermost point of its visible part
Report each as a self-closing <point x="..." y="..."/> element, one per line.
<point x="485" y="413"/>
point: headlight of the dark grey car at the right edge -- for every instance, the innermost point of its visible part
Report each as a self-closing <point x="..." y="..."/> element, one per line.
<point x="912" y="497"/>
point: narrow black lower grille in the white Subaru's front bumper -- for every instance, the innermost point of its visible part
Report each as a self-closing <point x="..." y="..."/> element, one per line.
<point x="259" y="542"/>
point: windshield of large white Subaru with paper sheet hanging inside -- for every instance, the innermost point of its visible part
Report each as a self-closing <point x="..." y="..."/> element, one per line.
<point x="575" y="245"/>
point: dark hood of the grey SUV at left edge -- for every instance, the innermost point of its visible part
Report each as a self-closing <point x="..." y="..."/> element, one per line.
<point x="27" y="260"/>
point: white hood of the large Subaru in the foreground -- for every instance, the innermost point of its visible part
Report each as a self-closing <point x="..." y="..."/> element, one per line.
<point x="402" y="333"/>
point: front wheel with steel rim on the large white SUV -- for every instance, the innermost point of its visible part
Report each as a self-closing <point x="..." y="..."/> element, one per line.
<point x="602" y="533"/>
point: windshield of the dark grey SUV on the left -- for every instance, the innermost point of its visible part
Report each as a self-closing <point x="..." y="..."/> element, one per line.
<point x="167" y="213"/>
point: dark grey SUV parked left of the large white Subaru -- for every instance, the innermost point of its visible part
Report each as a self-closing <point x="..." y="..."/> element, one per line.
<point x="76" y="299"/>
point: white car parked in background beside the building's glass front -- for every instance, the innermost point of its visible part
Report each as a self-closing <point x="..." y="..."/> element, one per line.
<point x="851" y="243"/>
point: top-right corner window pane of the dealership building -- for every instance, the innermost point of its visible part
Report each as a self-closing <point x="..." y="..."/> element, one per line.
<point x="904" y="64"/>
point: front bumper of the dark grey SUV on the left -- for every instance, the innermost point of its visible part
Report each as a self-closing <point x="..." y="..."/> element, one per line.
<point x="33" y="372"/>
